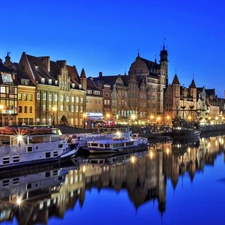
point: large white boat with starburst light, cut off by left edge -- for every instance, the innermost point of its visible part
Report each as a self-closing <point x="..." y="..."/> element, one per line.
<point x="24" y="146"/>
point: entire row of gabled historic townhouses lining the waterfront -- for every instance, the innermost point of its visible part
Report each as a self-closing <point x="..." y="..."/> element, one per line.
<point x="37" y="90"/>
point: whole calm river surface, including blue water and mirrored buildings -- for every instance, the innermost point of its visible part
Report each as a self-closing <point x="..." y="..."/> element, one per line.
<point x="170" y="183"/>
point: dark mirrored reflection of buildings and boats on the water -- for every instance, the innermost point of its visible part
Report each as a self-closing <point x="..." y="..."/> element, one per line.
<point x="34" y="197"/>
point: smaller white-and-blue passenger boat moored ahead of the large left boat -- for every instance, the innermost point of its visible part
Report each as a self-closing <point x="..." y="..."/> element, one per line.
<point x="118" y="143"/>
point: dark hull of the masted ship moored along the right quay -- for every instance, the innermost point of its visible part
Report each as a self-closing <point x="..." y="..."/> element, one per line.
<point x="184" y="129"/>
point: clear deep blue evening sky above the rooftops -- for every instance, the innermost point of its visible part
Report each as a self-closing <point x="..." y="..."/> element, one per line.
<point x="104" y="35"/>
